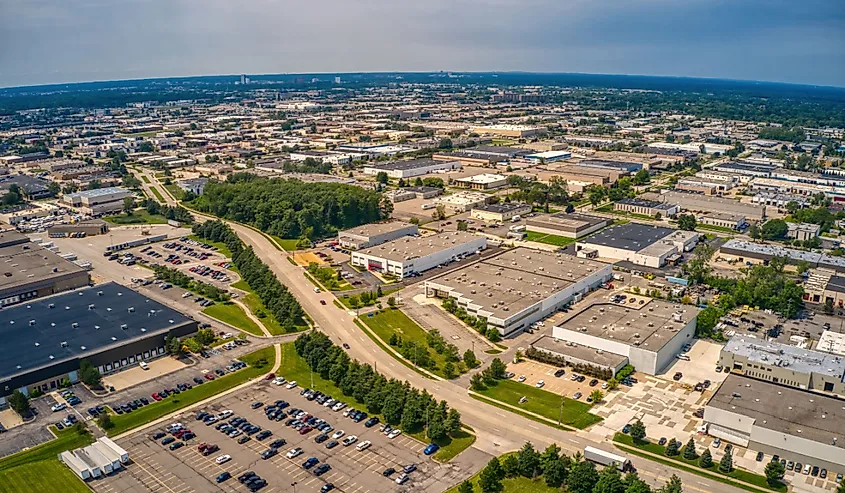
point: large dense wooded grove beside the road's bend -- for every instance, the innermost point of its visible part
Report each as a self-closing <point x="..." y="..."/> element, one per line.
<point x="291" y="208"/>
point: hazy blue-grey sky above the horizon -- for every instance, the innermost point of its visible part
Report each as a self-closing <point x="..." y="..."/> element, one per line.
<point x="55" y="41"/>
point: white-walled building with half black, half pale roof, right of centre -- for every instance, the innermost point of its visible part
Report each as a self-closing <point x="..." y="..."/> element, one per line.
<point x="640" y="244"/>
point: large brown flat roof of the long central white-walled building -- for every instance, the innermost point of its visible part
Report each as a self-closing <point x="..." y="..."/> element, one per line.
<point x="516" y="279"/>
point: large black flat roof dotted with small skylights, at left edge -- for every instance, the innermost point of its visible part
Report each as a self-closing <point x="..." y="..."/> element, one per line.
<point x="29" y="345"/>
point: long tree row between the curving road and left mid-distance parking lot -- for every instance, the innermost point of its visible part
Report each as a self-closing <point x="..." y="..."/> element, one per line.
<point x="275" y="296"/>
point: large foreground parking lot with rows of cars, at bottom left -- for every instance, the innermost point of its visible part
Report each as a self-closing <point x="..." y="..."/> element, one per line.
<point x="156" y="468"/>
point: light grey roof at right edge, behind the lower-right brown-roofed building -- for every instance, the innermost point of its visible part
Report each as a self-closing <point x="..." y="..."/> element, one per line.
<point x="791" y="357"/>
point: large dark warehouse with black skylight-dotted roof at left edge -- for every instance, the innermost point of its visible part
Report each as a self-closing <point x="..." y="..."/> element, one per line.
<point x="110" y="325"/>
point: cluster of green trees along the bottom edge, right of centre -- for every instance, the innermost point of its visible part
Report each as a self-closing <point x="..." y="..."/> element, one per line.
<point x="557" y="470"/>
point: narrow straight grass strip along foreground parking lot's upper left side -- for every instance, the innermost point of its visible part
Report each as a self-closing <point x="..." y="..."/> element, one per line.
<point x="155" y="410"/>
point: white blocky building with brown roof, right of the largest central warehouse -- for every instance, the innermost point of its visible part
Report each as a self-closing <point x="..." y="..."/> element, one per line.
<point x="647" y="335"/>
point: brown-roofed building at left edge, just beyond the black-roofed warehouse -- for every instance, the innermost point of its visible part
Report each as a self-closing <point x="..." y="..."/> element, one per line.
<point x="31" y="270"/>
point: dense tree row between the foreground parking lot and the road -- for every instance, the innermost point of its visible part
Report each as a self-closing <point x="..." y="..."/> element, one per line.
<point x="400" y="404"/>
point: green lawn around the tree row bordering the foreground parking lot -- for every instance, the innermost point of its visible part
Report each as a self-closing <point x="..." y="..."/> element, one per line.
<point x="293" y="367"/>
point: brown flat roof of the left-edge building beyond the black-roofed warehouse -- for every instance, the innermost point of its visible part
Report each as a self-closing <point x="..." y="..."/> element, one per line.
<point x="27" y="263"/>
